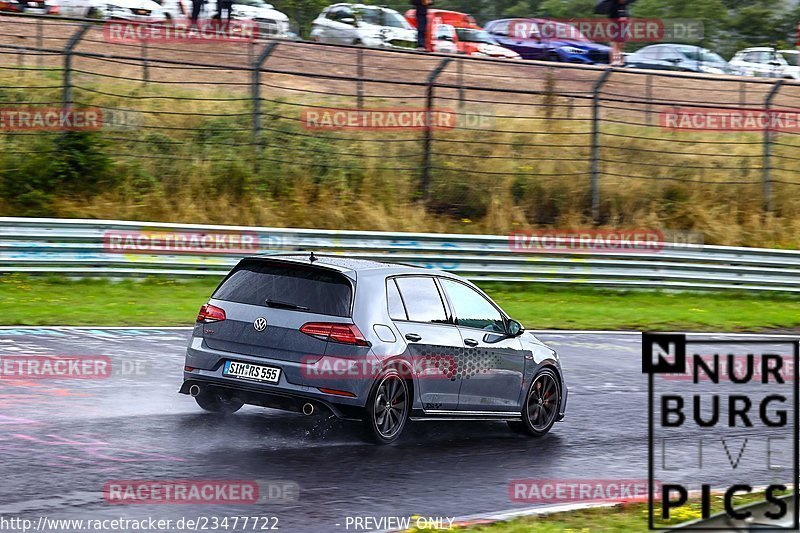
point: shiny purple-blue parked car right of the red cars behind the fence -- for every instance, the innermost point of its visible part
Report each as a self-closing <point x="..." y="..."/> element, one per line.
<point x="547" y="40"/>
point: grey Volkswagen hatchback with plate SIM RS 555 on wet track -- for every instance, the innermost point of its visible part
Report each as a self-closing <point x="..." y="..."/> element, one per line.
<point x="374" y="342"/>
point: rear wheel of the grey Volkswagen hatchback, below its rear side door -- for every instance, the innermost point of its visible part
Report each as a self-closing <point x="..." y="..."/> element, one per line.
<point x="387" y="408"/>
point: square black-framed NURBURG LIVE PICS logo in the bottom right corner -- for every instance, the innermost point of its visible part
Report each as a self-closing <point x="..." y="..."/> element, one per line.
<point x="739" y="419"/>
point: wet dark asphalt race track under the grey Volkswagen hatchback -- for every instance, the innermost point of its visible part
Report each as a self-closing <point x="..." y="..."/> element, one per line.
<point x="61" y="441"/>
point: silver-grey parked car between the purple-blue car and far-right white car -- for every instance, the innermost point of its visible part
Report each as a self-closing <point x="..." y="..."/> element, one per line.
<point x="680" y="57"/>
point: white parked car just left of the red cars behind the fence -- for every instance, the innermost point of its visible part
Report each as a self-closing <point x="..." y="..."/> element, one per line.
<point x="374" y="26"/>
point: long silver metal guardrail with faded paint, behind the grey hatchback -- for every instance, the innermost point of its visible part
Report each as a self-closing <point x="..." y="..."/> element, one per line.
<point x="86" y="248"/>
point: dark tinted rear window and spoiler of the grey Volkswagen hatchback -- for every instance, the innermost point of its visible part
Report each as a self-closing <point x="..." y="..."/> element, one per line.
<point x="308" y="289"/>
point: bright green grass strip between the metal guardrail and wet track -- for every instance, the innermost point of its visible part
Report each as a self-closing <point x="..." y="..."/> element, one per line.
<point x="159" y="302"/>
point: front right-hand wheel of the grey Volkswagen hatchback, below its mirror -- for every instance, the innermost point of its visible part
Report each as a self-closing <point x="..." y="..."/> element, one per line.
<point x="541" y="405"/>
